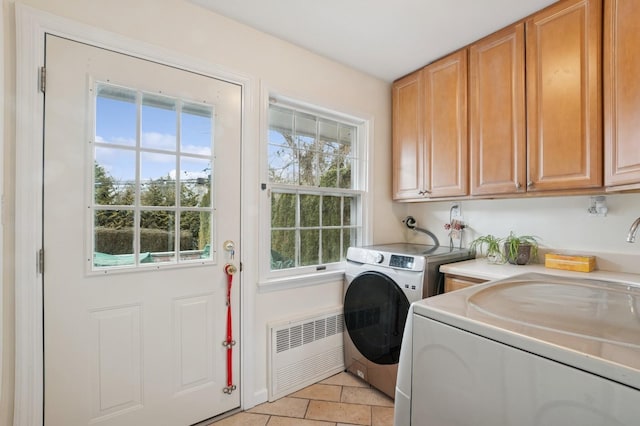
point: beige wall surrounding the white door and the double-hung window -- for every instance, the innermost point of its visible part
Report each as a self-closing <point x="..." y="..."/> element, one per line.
<point x="186" y="29"/>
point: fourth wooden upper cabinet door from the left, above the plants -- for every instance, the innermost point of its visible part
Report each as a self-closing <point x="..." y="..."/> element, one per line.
<point x="563" y="96"/>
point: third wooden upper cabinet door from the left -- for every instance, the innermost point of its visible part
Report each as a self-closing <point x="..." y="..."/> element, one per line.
<point x="497" y="126"/>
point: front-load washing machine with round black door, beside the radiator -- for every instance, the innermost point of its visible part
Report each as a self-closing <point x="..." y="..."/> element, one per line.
<point x="380" y="283"/>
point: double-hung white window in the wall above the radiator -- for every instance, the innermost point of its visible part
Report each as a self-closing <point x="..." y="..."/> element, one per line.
<point x="316" y="187"/>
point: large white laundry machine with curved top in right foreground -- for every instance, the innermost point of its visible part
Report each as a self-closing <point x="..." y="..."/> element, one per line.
<point x="530" y="350"/>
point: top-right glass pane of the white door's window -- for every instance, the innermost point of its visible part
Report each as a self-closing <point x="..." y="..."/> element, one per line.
<point x="196" y="129"/>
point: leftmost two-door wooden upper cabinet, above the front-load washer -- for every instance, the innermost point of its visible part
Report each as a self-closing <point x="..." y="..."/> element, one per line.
<point x="430" y="148"/>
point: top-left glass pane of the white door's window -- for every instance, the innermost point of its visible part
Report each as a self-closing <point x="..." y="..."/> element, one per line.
<point x="116" y="115"/>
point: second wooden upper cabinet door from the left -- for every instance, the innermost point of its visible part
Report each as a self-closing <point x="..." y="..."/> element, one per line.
<point x="445" y="132"/>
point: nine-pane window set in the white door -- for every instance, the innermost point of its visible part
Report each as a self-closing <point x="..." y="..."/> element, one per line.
<point x="152" y="188"/>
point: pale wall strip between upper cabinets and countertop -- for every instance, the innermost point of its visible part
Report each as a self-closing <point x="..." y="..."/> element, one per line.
<point x="562" y="223"/>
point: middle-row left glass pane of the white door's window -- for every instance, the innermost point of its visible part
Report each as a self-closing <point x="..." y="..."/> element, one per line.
<point x="114" y="177"/>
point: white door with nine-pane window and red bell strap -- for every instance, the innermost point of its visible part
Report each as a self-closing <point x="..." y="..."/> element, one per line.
<point x="135" y="313"/>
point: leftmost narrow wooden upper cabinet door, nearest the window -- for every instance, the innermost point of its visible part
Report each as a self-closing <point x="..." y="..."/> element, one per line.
<point x="408" y="148"/>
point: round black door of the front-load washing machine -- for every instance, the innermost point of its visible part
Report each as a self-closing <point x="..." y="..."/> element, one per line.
<point x="375" y="310"/>
